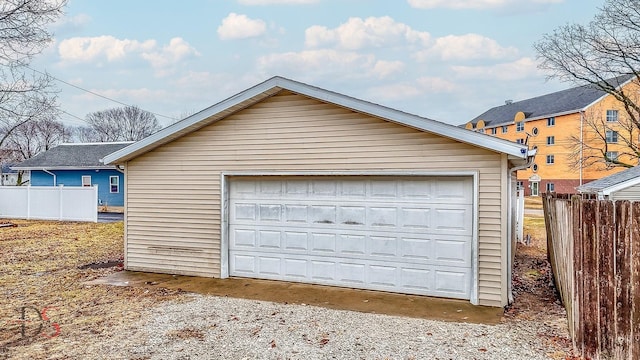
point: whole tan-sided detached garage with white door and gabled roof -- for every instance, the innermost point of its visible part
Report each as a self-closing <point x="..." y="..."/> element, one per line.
<point x="286" y="181"/>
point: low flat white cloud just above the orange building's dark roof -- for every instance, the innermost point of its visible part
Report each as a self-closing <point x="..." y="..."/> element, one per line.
<point x="520" y="69"/>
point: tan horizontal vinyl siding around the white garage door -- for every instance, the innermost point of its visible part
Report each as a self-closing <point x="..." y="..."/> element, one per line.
<point x="173" y="192"/>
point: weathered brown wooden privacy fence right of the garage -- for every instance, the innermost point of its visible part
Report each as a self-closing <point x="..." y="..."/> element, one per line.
<point x="594" y="249"/>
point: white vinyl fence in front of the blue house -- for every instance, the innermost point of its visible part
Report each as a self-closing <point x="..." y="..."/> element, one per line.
<point x="49" y="203"/>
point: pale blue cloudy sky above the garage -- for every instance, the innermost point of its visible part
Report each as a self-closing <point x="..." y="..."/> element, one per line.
<point x="448" y="60"/>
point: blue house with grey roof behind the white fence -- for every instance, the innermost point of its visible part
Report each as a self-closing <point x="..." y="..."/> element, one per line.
<point x="79" y="165"/>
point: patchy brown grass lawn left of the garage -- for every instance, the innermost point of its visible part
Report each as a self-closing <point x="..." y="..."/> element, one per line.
<point x="41" y="269"/>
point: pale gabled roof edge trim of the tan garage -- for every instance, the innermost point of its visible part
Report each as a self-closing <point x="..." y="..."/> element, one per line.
<point x="276" y="84"/>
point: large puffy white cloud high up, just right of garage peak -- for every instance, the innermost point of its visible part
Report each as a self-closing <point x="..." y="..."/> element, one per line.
<point x="358" y="33"/>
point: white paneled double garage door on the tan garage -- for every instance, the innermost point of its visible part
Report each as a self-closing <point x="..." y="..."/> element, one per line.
<point x="408" y="235"/>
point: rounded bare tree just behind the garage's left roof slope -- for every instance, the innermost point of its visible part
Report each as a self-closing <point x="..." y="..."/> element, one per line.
<point x="128" y="123"/>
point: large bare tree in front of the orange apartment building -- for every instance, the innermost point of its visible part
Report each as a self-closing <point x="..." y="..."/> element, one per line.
<point x="604" y="54"/>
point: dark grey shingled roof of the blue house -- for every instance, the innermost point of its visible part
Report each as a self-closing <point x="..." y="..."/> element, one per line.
<point x="72" y="156"/>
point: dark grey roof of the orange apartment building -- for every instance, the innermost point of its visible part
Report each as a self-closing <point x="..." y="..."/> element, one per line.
<point x="555" y="104"/>
